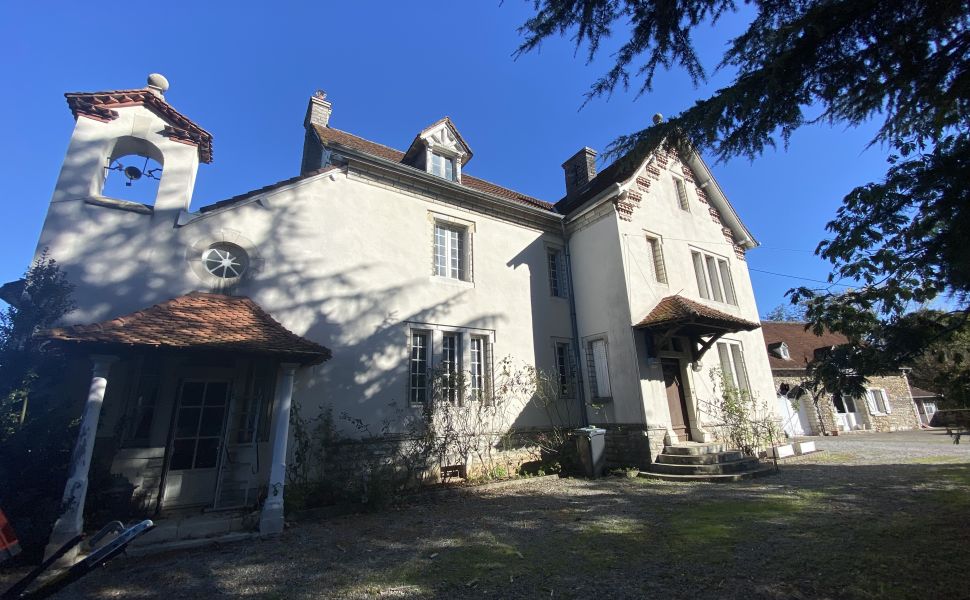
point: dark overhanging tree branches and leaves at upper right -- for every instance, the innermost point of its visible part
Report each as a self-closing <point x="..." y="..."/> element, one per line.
<point x="906" y="64"/>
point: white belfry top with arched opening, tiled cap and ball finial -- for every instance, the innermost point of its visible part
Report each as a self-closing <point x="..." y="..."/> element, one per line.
<point x="129" y="140"/>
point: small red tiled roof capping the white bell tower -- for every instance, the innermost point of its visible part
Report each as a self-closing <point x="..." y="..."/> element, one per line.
<point x="101" y="105"/>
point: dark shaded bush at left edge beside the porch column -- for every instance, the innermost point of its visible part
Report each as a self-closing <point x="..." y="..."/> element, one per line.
<point x="37" y="422"/>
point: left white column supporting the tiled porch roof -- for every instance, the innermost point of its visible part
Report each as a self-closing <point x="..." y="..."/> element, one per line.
<point x="71" y="521"/>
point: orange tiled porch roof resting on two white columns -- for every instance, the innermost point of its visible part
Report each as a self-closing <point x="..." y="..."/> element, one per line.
<point x="197" y="321"/>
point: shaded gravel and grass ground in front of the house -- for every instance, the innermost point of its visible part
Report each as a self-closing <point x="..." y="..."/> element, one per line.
<point x="871" y="516"/>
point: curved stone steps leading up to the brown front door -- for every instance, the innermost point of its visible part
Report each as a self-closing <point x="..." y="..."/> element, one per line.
<point x="692" y="461"/>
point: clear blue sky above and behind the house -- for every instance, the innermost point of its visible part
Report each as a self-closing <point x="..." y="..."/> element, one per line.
<point x="390" y="69"/>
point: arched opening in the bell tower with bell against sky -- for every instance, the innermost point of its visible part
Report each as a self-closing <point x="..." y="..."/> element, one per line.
<point x="133" y="171"/>
